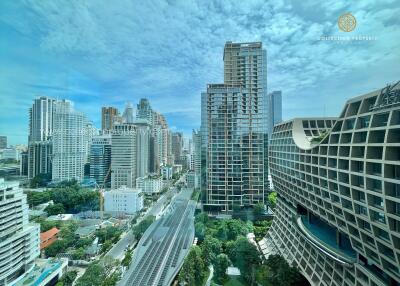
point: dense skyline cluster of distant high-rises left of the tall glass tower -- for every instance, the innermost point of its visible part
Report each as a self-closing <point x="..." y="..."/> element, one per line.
<point x="64" y="145"/>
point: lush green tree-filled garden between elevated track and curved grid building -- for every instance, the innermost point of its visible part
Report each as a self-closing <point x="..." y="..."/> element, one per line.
<point x="223" y="243"/>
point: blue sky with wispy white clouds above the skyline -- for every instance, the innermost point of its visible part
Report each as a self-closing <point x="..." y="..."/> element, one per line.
<point x="106" y="53"/>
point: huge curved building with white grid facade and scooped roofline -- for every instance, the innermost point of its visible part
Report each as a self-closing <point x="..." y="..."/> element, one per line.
<point x="338" y="185"/>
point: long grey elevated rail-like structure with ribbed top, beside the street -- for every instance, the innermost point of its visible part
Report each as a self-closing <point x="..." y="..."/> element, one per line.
<point x="163" y="247"/>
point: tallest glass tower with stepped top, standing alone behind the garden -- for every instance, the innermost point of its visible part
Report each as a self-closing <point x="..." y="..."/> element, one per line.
<point x="236" y="130"/>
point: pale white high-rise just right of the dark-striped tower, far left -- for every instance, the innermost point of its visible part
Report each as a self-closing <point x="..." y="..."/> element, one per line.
<point x="69" y="142"/>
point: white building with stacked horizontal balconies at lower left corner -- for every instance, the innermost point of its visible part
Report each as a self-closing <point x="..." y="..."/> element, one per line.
<point x="19" y="238"/>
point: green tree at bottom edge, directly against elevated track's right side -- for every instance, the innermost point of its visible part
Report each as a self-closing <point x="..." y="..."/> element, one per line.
<point x="193" y="269"/>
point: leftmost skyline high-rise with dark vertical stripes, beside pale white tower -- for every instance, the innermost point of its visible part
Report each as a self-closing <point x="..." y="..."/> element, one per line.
<point x="40" y="136"/>
